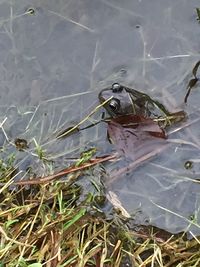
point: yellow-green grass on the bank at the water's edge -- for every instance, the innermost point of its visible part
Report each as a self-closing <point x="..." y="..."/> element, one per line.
<point x="53" y="225"/>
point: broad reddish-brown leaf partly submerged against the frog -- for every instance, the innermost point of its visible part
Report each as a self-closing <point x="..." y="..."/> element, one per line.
<point x="135" y="136"/>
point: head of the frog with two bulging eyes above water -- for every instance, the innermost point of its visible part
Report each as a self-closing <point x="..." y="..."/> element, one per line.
<point x="124" y="100"/>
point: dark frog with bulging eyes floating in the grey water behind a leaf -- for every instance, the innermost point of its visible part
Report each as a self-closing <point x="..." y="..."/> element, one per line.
<point x="125" y="100"/>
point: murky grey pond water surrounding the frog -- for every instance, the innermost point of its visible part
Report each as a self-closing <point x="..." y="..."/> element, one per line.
<point x="53" y="64"/>
